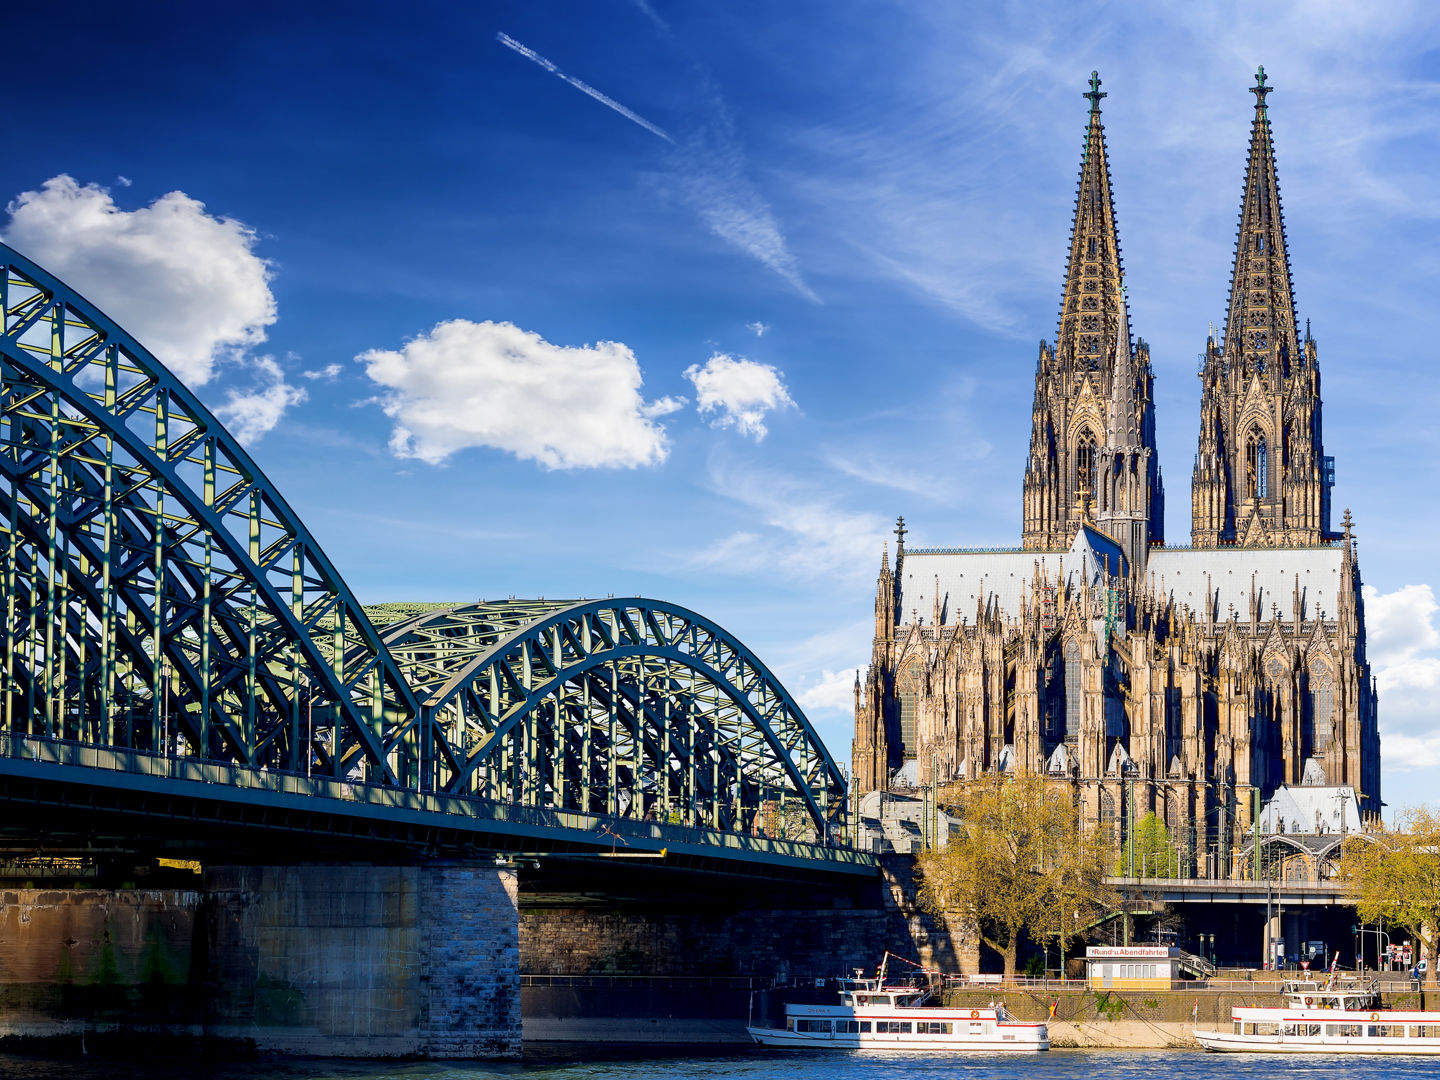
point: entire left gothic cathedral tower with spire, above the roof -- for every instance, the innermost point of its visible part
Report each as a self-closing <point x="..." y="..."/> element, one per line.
<point x="1092" y="440"/>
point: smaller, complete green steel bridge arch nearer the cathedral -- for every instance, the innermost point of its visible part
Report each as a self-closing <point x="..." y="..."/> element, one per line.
<point x="631" y="708"/>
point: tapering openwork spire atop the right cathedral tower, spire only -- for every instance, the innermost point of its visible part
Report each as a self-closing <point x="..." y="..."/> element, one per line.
<point x="1261" y="323"/>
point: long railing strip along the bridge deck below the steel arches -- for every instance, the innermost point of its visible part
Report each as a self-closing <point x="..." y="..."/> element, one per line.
<point x="610" y="832"/>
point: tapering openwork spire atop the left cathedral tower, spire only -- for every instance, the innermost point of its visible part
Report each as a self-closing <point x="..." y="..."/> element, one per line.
<point x="1089" y="315"/>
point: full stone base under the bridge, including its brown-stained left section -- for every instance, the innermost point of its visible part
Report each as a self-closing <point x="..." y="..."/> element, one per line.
<point x="351" y="961"/>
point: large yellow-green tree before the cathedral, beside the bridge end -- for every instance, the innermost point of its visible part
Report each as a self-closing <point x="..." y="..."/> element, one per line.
<point x="1020" y="865"/>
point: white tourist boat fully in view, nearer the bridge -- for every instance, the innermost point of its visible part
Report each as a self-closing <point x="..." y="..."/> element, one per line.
<point x="873" y="1016"/>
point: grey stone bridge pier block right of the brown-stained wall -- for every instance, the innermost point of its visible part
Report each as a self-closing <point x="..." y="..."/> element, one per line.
<point x="366" y="961"/>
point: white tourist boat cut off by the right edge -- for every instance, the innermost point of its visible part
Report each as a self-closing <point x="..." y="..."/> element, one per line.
<point x="1341" y="1016"/>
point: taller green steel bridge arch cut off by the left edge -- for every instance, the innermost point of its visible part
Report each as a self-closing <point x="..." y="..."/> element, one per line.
<point x="158" y="593"/>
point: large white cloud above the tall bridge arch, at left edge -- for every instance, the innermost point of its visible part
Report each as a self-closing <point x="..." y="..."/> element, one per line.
<point x="188" y="284"/>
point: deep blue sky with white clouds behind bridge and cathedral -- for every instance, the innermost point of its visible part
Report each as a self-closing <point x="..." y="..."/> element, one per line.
<point x="701" y="319"/>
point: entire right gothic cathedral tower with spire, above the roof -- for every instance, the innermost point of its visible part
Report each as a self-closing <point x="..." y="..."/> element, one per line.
<point x="1262" y="477"/>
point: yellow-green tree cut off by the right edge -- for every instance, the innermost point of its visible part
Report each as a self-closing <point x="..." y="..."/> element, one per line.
<point x="1396" y="875"/>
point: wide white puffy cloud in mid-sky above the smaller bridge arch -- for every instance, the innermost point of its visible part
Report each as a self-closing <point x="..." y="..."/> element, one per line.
<point x="496" y="385"/>
